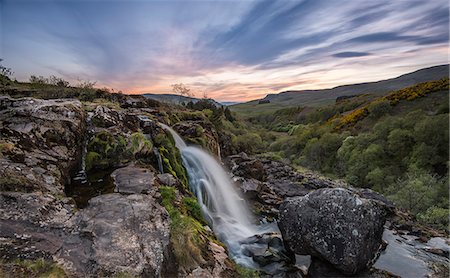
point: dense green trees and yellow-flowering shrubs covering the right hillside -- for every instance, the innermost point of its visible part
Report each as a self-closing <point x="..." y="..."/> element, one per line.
<point x="398" y="149"/>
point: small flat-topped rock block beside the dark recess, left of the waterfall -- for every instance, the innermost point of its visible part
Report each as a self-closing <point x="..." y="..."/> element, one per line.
<point x="133" y="180"/>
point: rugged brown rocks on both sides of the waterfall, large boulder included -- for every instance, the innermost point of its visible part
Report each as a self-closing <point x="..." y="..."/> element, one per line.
<point x="99" y="190"/>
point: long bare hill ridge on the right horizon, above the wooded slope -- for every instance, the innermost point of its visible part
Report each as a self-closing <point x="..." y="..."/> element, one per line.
<point x="314" y="98"/>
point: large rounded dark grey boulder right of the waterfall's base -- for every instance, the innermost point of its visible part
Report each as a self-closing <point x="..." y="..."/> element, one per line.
<point x="335" y="225"/>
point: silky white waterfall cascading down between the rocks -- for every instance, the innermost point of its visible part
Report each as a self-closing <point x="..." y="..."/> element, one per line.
<point x="221" y="205"/>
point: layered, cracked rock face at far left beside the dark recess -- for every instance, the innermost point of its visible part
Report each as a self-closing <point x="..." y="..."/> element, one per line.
<point x="43" y="141"/>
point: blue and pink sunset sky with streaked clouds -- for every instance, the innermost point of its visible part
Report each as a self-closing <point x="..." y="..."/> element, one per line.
<point x="228" y="50"/>
